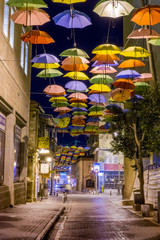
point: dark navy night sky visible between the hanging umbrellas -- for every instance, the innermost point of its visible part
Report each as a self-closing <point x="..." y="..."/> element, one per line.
<point x="86" y="39"/>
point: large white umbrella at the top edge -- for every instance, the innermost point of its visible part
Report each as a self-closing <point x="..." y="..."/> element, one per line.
<point x="113" y="9"/>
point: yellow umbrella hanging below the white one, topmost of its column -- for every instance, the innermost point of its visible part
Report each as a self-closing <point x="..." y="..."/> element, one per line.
<point x="106" y="48"/>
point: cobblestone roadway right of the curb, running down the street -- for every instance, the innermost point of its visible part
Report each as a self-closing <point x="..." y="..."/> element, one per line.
<point x="100" y="217"/>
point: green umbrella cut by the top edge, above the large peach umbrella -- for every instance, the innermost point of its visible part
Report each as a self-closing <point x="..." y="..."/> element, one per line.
<point x="27" y="3"/>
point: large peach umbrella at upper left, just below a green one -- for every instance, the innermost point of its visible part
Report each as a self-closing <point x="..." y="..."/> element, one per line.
<point x="30" y="17"/>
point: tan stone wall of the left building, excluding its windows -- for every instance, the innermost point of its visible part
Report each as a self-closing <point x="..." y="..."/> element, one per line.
<point x="14" y="104"/>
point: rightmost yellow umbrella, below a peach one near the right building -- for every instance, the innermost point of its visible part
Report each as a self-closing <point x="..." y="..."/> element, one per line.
<point x="135" y="51"/>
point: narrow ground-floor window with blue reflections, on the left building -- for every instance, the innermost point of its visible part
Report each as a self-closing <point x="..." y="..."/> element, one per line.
<point x="17" y="150"/>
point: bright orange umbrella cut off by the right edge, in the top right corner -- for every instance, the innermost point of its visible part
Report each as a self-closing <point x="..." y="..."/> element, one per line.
<point x="147" y="15"/>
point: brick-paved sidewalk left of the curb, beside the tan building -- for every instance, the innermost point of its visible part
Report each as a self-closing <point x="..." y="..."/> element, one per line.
<point x="26" y="221"/>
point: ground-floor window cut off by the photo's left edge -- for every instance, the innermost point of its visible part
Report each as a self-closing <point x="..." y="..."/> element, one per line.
<point x="2" y="146"/>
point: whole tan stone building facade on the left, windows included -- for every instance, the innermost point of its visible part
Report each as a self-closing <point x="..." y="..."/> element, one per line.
<point x="14" y="109"/>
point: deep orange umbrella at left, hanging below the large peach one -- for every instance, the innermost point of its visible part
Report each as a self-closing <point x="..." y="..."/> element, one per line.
<point x="37" y="37"/>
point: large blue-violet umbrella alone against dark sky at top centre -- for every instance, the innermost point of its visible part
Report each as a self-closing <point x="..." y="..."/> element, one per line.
<point x="72" y="19"/>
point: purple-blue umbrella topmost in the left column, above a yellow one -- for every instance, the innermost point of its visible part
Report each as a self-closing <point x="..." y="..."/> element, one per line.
<point x="45" y="58"/>
